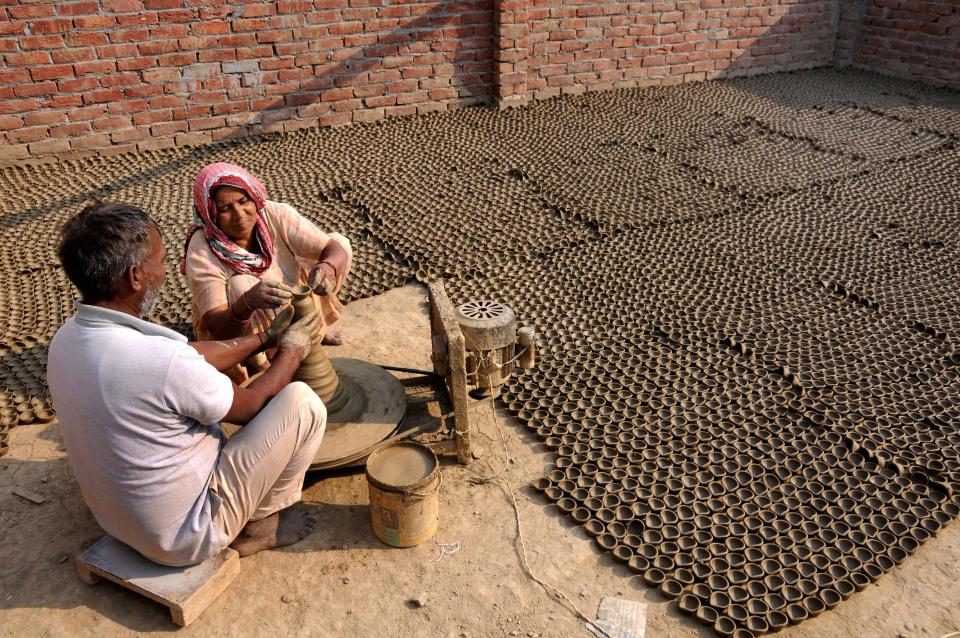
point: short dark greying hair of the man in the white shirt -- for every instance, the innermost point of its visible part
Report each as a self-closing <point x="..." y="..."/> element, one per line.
<point x="100" y="244"/>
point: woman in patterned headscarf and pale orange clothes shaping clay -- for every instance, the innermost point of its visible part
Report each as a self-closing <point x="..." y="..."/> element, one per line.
<point x="250" y="253"/>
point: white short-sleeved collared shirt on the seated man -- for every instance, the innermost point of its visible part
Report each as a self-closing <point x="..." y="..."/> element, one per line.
<point x="139" y="411"/>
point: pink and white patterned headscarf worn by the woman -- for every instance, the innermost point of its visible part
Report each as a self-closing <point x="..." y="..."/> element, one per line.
<point x="236" y="258"/>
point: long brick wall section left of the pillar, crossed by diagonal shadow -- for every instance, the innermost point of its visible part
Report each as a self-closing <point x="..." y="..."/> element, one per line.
<point x="109" y="76"/>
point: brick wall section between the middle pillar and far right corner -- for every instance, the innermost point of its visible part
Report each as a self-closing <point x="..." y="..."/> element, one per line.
<point x="580" y="44"/>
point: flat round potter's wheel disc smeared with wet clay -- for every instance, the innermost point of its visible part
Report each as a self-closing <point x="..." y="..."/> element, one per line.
<point x="375" y="406"/>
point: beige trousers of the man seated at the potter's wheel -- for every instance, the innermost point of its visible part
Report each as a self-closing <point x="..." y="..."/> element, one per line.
<point x="261" y="467"/>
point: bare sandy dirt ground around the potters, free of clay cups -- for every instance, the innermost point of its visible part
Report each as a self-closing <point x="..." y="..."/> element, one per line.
<point x="341" y="581"/>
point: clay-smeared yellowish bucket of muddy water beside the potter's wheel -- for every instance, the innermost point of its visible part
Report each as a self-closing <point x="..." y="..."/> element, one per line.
<point x="404" y="480"/>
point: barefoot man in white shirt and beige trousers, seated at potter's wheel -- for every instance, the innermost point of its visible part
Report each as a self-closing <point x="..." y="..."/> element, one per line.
<point x="139" y="407"/>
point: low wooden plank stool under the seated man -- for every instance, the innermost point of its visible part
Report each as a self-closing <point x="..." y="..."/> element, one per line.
<point x="187" y="591"/>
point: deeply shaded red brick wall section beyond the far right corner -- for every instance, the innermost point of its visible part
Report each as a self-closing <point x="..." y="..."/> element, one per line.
<point x="911" y="38"/>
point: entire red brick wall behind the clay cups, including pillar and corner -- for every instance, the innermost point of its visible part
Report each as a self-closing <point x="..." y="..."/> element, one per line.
<point x="107" y="76"/>
